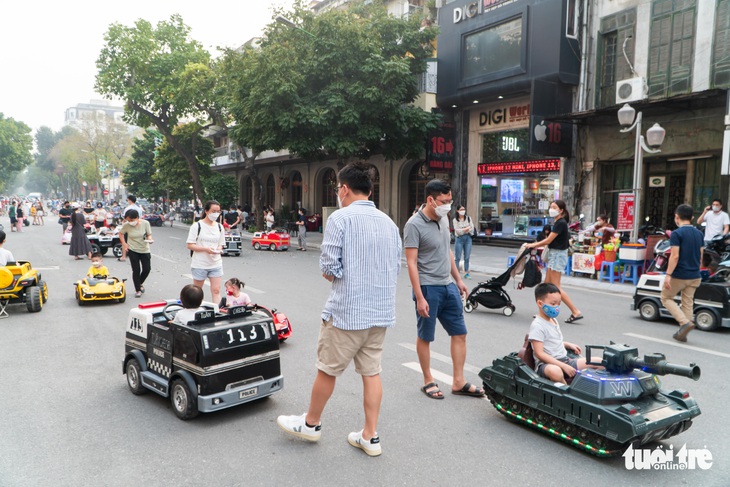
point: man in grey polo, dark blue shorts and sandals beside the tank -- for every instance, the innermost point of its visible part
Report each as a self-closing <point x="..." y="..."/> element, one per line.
<point x="431" y="268"/>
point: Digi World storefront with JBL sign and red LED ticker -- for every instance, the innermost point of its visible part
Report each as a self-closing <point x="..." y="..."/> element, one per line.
<point x="511" y="188"/>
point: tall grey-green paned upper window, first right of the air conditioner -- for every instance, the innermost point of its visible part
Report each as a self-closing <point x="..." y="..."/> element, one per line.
<point x="671" y="47"/>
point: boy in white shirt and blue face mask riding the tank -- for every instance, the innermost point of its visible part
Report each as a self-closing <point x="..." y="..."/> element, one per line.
<point x="549" y="349"/>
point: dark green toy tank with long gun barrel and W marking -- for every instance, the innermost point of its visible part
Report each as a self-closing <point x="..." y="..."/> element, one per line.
<point x="601" y="411"/>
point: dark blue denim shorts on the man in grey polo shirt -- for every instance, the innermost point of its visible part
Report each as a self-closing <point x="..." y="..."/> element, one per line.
<point x="444" y="303"/>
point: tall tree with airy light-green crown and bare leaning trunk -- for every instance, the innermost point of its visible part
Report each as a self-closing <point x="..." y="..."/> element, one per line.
<point x="148" y="68"/>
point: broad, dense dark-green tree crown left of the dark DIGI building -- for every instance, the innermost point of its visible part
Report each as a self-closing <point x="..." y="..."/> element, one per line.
<point x="345" y="92"/>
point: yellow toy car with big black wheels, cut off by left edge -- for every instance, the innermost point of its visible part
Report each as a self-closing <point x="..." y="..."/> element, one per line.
<point x="20" y="283"/>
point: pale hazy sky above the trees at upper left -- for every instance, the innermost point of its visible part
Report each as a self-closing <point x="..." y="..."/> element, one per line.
<point x="48" y="50"/>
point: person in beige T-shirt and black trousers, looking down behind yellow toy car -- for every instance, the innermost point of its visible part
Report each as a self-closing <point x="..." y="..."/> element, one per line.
<point x="136" y="237"/>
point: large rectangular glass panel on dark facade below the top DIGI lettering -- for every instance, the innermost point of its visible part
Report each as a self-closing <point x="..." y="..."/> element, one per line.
<point x="495" y="52"/>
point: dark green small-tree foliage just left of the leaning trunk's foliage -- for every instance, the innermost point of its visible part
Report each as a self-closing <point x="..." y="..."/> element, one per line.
<point x="139" y="174"/>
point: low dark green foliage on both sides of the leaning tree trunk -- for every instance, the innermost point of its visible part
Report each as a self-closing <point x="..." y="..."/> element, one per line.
<point x="172" y="172"/>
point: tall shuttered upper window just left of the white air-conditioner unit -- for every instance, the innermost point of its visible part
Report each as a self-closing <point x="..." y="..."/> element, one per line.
<point x="612" y="64"/>
